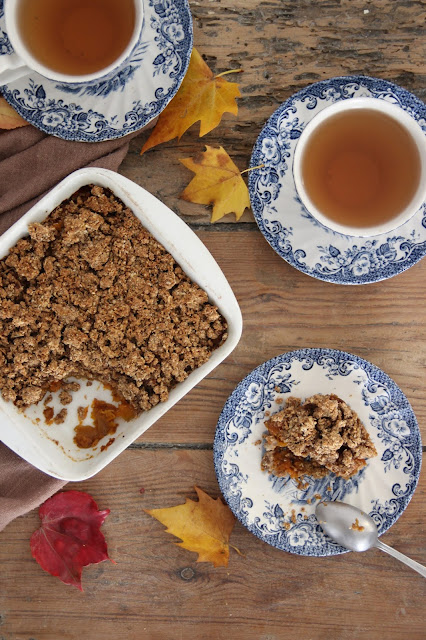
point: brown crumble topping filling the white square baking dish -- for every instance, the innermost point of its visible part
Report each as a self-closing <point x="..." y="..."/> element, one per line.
<point x="91" y="294"/>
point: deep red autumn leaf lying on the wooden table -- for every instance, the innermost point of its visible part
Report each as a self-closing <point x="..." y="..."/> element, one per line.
<point x="69" y="537"/>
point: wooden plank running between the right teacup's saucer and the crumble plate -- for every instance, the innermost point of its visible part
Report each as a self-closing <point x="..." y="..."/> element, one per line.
<point x="284" y="309"/>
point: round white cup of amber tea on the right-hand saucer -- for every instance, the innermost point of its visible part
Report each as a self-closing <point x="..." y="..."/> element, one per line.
<point x="360" y="166"/>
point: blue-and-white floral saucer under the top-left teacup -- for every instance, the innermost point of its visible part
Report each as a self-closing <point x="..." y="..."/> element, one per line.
<point x="122" y="102"/>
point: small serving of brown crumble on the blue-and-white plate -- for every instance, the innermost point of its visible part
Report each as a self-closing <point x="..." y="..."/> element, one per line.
<point x="314" y="438"/>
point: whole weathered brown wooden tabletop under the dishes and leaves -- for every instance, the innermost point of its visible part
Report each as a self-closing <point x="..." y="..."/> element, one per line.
<point x="156" y="590"/>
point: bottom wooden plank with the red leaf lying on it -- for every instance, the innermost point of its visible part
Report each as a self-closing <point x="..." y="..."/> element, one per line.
<point x="157" y="590"/>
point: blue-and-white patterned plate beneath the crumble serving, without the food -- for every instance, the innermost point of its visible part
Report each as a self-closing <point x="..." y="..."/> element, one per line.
<point x="281" y="511"/>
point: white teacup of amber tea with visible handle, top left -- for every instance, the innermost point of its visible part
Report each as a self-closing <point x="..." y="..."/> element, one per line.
<point x="69" y="40"/>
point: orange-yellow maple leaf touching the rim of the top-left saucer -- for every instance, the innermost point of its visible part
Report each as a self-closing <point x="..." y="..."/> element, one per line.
<point x="201" y="96"/>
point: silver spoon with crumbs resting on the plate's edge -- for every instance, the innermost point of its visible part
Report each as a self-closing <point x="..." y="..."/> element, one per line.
<point x="357" y="531"/>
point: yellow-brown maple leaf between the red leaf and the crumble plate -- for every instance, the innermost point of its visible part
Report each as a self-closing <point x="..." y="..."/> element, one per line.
<point x="203" y="527"/>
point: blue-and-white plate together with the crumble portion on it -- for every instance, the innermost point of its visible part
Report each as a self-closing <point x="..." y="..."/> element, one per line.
<point x="312" y="390"/>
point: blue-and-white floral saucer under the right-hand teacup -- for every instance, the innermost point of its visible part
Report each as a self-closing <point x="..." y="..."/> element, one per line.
<point x="290" y="230"/>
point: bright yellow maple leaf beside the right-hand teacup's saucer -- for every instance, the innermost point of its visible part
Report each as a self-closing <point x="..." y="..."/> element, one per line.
<point x="217" y="181"/>
